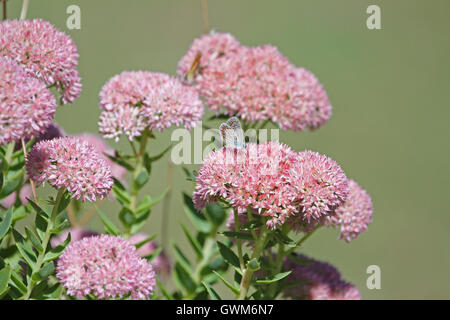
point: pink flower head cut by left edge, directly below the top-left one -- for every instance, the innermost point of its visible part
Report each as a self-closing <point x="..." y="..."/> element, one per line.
<point x="26" y="106"/>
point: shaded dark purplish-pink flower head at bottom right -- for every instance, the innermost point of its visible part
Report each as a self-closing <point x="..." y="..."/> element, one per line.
<point x="318" y="281"/>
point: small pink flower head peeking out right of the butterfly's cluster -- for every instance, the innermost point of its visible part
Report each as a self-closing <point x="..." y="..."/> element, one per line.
<point x="354" y="216"/>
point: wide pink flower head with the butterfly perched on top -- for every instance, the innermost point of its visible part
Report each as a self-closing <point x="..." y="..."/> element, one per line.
<point x="274" y="180"/>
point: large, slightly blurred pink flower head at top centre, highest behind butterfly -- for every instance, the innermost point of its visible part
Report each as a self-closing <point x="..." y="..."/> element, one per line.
<point x="255" y="83"/>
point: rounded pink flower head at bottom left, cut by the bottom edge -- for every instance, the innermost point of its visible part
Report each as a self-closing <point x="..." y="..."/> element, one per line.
<point x="105" y="266"/>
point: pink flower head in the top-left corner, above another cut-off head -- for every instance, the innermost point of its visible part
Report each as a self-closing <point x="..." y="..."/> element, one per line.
<point x="44" y="52"/>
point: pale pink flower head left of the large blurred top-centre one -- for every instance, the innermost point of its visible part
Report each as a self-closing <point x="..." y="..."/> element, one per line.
<point x="133" y="101"/>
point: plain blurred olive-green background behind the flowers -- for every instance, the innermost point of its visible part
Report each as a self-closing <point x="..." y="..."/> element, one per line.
<point x="390" y="124"/>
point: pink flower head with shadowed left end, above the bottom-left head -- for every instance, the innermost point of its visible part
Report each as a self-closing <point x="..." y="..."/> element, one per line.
<point x="72" y="164"/>
